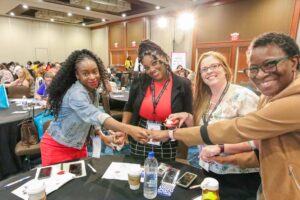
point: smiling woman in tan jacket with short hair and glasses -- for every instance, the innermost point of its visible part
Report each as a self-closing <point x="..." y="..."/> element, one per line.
<point x="273" y="60"/>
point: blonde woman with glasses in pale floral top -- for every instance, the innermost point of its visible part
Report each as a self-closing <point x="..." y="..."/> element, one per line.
<point x="216" y="99"/>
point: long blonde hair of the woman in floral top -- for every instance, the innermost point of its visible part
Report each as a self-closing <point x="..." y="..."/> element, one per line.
<point x="202" y="92"/>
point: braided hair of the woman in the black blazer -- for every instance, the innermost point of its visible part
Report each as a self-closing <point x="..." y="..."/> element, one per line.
<point x="147" y="47"/>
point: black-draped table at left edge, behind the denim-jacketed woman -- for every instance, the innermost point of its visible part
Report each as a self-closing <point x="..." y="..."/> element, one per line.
<point x="9" y="137"/>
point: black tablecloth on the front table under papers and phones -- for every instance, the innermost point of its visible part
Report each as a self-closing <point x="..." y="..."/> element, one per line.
<point x="93" y="187"/>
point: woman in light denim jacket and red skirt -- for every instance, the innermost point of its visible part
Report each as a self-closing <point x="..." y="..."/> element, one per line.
<point x="74" y="101"/>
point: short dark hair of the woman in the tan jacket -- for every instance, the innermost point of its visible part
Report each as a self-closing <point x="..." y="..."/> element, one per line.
<point x="283" y="41"/>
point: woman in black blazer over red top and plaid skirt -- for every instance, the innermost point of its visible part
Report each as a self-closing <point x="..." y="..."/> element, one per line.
<point x="153" y="96"/>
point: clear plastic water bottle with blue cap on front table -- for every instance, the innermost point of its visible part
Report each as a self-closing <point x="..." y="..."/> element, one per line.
<point x="150" y="178"/>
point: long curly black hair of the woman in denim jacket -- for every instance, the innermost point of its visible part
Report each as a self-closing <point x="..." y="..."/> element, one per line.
<point x="66" y="77"/>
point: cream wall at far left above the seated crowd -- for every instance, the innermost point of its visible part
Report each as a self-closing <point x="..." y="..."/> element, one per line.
<point x="22" y="40"/>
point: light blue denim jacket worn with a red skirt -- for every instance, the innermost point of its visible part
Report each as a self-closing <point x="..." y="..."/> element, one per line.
<point x="75" y="117"/>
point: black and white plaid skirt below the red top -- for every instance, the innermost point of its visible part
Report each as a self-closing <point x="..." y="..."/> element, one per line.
<point x="165" y="152"/>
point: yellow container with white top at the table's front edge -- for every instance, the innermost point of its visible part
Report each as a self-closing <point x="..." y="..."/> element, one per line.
<point x="210" y="189"/>
